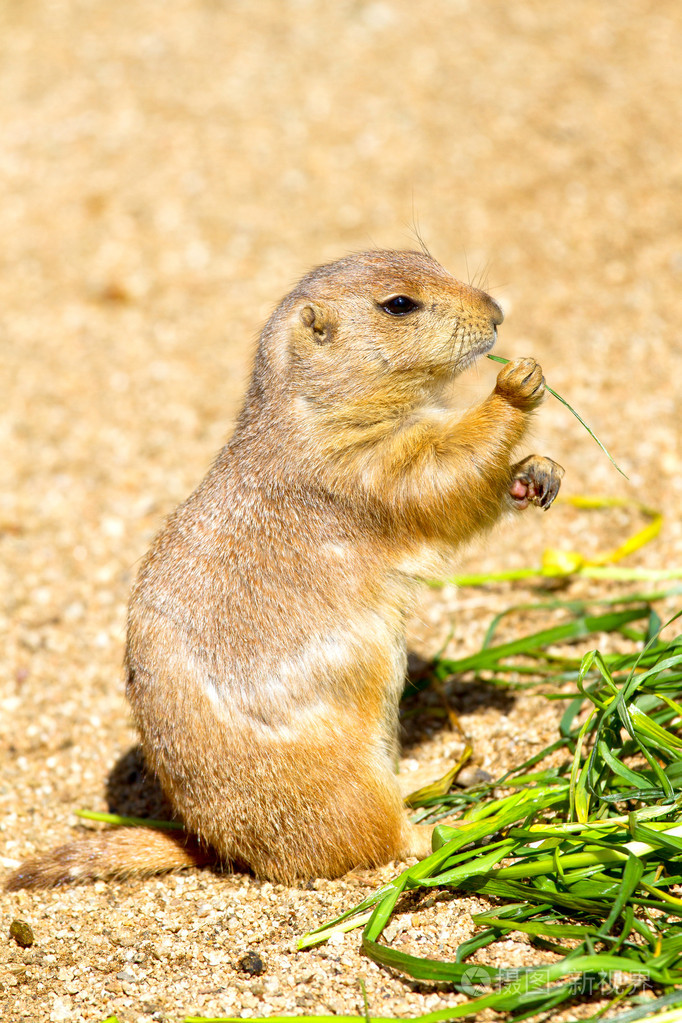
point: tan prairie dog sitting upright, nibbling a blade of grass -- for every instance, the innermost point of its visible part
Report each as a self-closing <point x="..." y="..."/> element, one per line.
<point x="266" y="636"/>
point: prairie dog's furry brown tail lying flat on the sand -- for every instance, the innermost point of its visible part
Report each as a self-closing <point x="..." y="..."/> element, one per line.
<point x="120" y="853"/>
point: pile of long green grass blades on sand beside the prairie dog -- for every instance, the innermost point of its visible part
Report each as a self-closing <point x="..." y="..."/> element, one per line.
<point x="580" y="856"/>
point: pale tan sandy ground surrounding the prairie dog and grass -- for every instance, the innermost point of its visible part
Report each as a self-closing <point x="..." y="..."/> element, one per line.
<point x="167" y="171"/>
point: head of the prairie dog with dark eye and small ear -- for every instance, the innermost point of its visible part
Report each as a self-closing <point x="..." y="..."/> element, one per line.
<point x="377" y="332"/>
